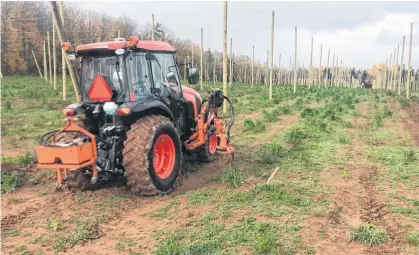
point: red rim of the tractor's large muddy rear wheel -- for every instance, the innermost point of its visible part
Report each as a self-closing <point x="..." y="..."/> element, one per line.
<point x="164" y="156"/>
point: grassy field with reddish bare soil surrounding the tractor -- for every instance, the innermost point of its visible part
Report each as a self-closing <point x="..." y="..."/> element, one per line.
<point x="347" y="183"/>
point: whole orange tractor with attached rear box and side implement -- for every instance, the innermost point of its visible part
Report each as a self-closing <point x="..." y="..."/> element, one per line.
<point x="133" y="119"/>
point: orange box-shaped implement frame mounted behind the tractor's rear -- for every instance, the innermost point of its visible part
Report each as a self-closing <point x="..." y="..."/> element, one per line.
<point x="71" y="157"/>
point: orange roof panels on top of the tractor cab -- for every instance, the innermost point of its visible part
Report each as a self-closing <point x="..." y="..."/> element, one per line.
<point x="113" y="45"/>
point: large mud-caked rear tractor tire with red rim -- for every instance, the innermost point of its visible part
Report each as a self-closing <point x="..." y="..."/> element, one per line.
<point x="152" y="156"/>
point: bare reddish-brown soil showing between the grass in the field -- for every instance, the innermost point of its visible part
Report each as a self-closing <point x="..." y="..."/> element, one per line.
<point x="355" y="201"/>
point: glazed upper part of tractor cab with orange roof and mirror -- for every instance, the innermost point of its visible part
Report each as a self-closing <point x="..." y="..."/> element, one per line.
<point x="132" y="70"/>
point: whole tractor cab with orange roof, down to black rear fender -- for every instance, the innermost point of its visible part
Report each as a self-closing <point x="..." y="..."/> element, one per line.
<point x="138" y="76"/>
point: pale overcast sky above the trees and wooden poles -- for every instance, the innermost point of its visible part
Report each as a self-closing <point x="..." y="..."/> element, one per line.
<point x="359" y="33"/>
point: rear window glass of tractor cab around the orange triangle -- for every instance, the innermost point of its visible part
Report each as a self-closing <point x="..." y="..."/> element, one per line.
<point x="112" y="69"/>
